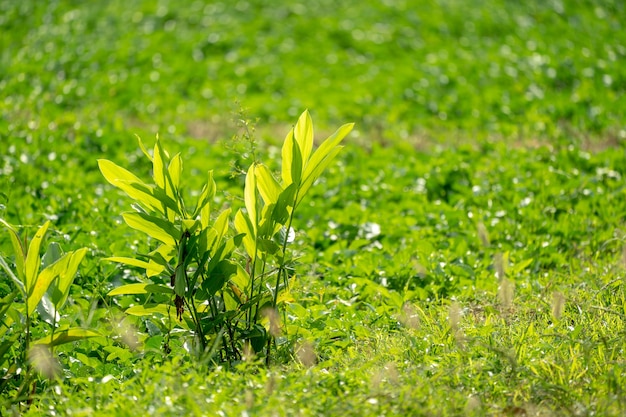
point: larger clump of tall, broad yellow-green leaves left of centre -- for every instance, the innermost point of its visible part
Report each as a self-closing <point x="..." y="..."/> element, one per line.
<point x="195" y="278"/>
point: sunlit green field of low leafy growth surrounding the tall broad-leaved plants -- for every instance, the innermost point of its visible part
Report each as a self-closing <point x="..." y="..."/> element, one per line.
<point x="464" y="254"/>
